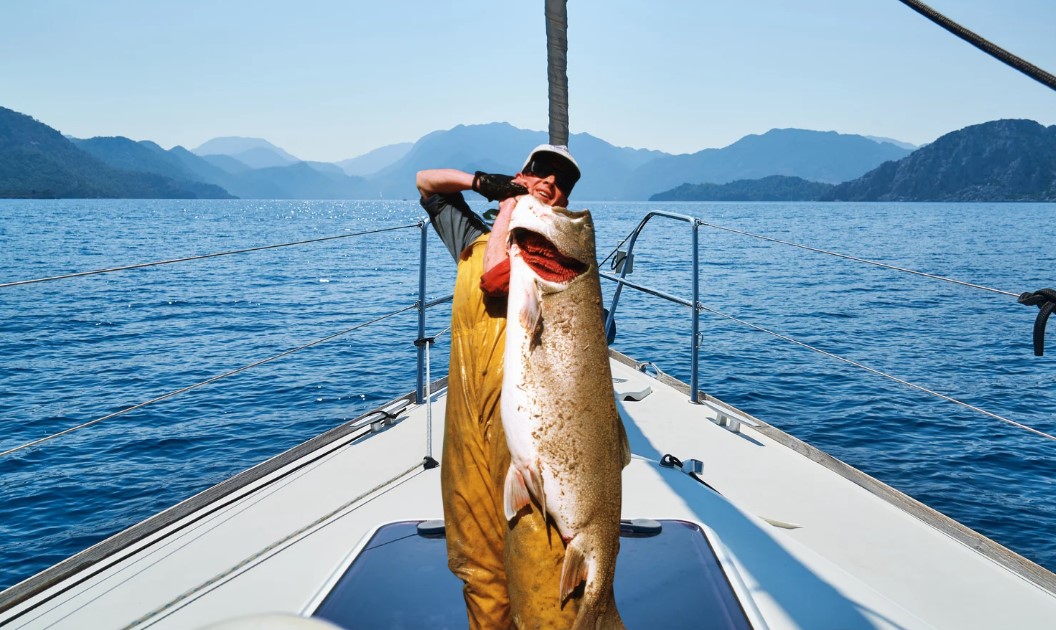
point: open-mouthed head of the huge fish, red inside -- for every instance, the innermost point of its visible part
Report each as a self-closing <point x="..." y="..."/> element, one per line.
<point x="558" y="244"/>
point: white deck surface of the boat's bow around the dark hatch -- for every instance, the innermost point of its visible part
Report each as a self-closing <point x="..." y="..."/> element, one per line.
<point x="855" y="562"/>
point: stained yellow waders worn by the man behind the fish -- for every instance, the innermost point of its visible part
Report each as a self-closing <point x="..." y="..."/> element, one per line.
<point x="512" y="572"/>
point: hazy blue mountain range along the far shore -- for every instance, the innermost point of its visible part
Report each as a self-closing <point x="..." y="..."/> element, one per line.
<point x="1002" y="161"/>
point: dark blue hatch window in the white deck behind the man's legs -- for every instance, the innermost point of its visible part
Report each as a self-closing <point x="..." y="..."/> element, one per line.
<point x="402" y="580"/>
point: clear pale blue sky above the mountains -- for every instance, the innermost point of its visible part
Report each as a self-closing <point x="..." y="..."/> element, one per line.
<point x="330" y="80"/>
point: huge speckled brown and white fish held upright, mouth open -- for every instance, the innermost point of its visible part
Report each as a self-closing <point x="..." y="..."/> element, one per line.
<point x="568" y="443"/>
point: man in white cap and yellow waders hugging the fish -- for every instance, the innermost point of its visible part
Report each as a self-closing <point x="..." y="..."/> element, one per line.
<point x="512" y="572"/>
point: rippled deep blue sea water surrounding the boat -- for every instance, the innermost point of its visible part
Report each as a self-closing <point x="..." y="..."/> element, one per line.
<point x="78" y="350"/>
